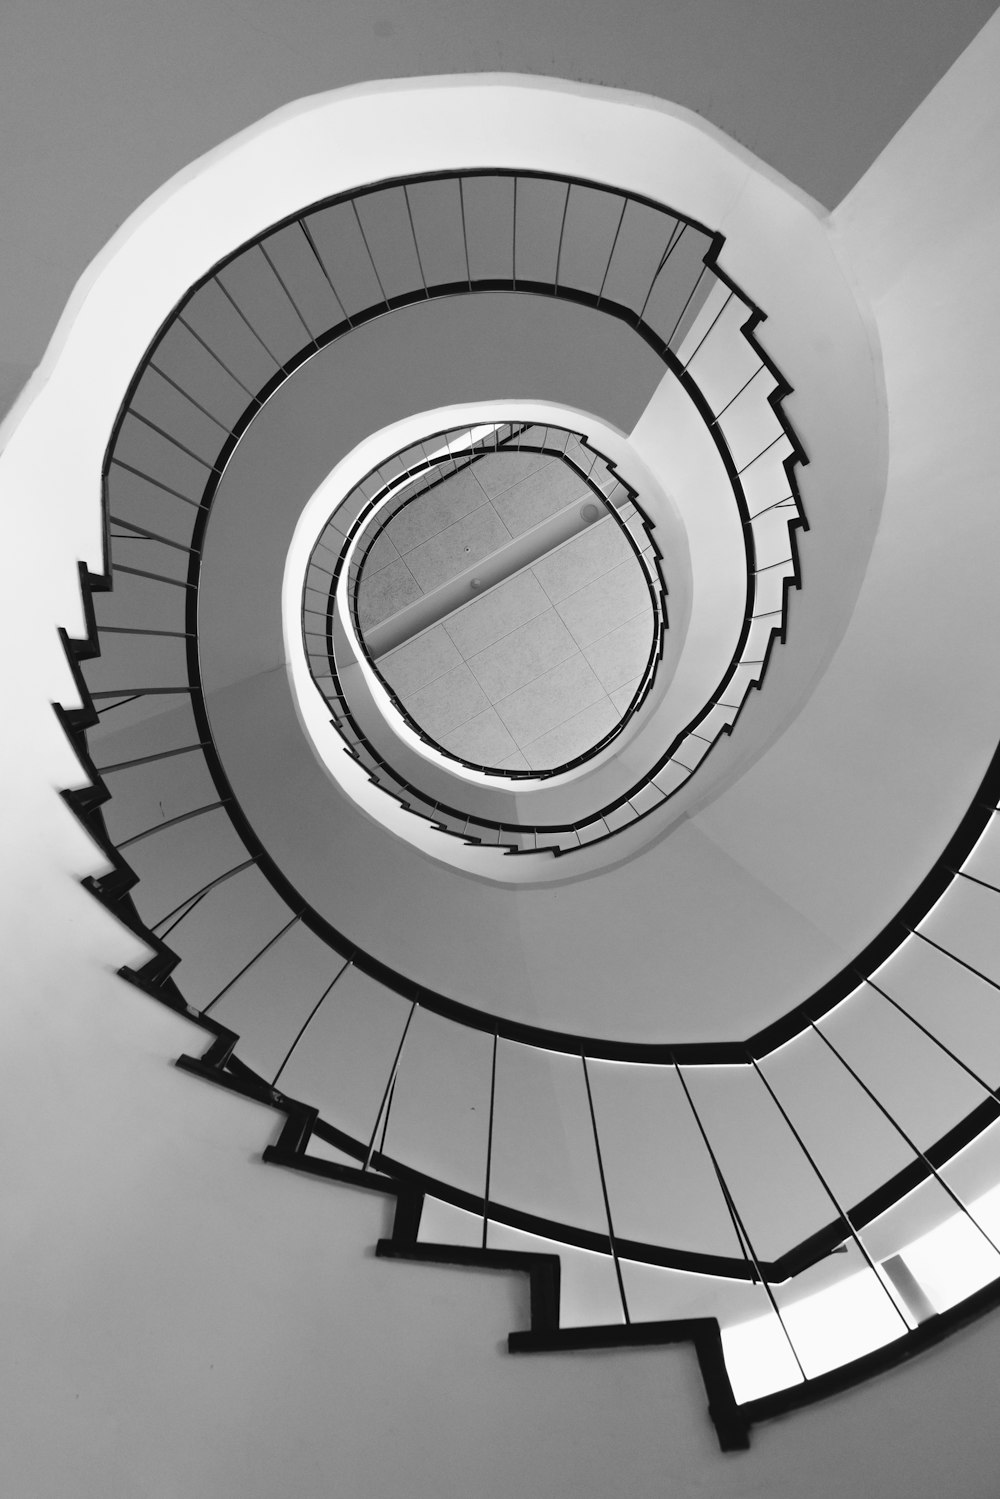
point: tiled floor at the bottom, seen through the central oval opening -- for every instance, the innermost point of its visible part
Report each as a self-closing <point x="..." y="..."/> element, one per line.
<point x="504" y="608"/>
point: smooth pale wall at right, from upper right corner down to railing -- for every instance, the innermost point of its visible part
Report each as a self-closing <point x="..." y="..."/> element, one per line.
<point x="921" y="236"/>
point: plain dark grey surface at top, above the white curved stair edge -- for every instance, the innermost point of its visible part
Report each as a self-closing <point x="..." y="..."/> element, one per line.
<point x="104" y="100"/>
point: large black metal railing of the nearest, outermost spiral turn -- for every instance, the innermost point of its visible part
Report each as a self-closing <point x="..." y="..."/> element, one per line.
<point x="786" y="1195"/>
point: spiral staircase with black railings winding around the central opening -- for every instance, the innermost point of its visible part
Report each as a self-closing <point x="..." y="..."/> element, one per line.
<point x="782" y="1152"/>
